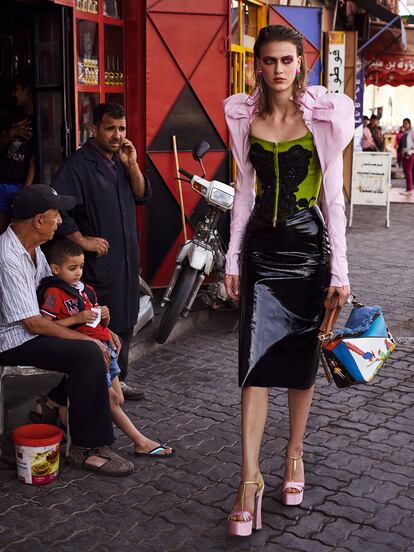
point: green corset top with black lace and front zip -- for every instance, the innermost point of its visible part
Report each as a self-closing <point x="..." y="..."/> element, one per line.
<point x="288" y="176"/>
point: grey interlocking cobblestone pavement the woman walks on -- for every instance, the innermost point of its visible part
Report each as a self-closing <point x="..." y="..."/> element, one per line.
<point x="358" y="455"/>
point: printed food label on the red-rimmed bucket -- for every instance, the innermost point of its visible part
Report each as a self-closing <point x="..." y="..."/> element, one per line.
<point x="37" y="465"/>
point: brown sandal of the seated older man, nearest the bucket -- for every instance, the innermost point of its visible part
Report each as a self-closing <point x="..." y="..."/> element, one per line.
<point x="116" y="466"/>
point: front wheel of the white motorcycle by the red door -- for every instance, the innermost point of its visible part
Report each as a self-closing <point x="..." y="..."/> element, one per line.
<point x="178" y="300"/>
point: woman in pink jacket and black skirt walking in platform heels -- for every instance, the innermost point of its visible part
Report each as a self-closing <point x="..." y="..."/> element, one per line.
<point x="286" y="255"/>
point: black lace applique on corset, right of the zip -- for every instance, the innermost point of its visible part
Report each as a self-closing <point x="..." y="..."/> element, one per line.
<point x="293" y="169"/>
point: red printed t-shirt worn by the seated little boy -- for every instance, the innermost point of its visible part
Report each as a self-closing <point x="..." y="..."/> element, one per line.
<point x="60" y="305"/>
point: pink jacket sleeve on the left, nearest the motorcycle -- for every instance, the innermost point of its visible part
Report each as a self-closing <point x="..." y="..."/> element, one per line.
<point x="238" y="114"/>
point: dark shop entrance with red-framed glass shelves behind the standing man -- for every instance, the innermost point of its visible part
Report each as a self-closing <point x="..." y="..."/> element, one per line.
<point x="75" y="58"/>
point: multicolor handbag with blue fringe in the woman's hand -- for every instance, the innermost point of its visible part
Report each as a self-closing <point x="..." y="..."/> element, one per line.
<point x="355" y="353"/>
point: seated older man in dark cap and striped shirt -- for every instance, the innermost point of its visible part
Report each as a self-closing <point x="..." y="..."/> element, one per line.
<point x="26" y="338"/>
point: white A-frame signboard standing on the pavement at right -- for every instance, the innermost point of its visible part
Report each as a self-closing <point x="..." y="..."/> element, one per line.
<point x="371" y="180"/>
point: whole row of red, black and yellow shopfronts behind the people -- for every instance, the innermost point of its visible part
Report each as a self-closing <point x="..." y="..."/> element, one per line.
<point x="169" y="62"/>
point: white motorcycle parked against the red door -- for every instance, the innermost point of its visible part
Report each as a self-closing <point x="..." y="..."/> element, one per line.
<point x="199" y="256"/>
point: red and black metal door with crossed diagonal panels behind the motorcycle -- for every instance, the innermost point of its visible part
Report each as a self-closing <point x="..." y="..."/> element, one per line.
<point x="187" y="77"/>
